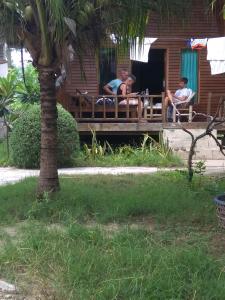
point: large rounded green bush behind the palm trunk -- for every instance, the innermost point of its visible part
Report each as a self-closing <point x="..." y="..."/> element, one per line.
<point x="26" y="136"/>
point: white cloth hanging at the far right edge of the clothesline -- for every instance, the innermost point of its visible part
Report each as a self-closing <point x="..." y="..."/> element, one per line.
<point x="216" y="55"/>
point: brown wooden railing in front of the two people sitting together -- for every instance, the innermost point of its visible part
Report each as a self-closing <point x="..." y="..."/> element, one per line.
<point x="88" y="108"/>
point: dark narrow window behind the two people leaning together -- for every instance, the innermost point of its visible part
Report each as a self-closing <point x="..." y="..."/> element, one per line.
<point x="107" y="66"/>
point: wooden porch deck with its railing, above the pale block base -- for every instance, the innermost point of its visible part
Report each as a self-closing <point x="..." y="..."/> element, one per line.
<point x="131" y="120"/>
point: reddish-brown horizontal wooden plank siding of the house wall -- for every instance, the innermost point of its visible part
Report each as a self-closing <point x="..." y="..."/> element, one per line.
<point x="172" y="36"/>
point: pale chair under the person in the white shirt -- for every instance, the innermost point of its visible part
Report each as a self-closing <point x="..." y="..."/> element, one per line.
<point x="184" y="112"/>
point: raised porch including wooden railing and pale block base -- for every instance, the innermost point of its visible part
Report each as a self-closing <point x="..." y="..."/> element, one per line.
<point x="149" y="116"/>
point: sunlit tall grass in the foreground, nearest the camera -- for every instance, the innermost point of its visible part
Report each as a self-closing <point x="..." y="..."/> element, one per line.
<point x="79" y="263"/>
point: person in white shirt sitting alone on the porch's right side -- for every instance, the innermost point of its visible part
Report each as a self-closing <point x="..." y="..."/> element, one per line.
<point x="178" y="98"/>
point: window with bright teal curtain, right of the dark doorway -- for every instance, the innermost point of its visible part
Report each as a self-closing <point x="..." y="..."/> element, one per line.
<point x="189" y="68"/>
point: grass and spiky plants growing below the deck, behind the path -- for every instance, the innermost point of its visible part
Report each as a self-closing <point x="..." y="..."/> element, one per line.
<point x="149" y="153"/>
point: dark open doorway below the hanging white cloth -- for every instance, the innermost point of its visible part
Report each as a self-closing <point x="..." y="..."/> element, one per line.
<point x="150" y="75"/>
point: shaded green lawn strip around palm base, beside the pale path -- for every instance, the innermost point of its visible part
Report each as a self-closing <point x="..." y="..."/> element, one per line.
<point x="167" y="197"/>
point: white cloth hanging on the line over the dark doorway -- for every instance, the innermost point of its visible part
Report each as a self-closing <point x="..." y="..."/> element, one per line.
<point x="141" y="52"/>
